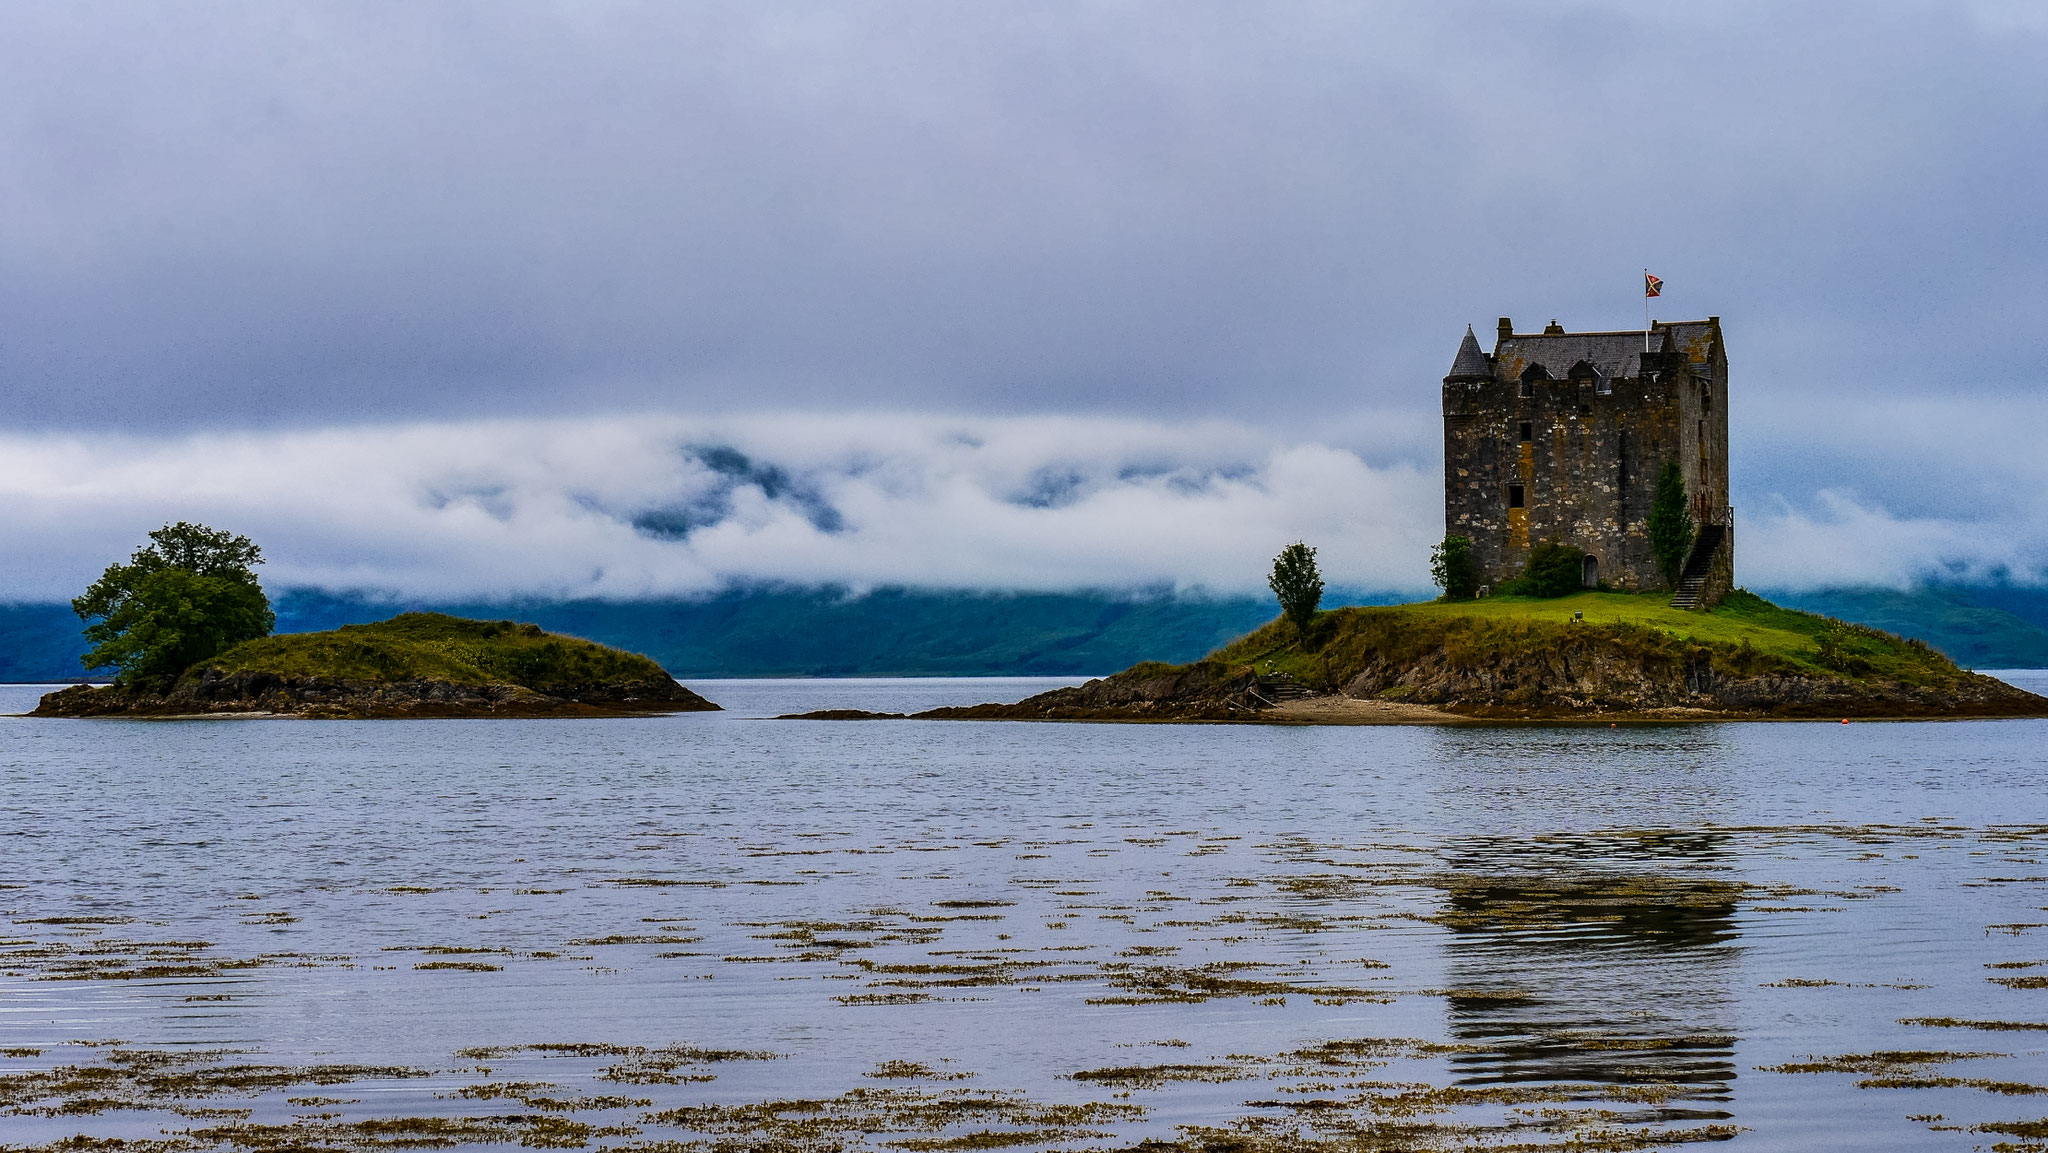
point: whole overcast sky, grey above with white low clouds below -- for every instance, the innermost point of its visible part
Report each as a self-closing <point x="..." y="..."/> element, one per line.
<point x="779" y="228"/>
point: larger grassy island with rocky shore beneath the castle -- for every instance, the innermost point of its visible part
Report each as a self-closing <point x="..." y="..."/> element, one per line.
<point x="1590" y="656"/>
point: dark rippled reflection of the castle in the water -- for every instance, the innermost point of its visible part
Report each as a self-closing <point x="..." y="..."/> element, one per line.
<point x="1594" y="959"/>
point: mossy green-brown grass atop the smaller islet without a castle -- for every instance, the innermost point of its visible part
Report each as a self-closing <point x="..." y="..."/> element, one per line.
<point x="433" y="646"/>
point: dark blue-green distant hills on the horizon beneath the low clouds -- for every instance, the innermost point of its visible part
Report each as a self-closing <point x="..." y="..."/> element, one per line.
<point x="896" y="632"/>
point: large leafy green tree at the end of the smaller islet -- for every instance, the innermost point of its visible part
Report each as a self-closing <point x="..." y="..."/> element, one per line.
<point x="179" y="601"/>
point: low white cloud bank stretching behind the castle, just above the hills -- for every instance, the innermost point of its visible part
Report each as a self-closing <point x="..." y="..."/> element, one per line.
<point x="671" y="507"/>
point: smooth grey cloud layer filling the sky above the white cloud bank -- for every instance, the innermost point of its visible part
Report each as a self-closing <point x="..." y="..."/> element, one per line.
<point x="306" y="214"/>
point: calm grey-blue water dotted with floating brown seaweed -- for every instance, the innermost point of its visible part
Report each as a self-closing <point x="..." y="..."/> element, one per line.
<point x="734" y="933"/>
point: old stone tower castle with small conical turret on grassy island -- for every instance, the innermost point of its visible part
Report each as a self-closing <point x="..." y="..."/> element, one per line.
<point x="1562" y="435"/>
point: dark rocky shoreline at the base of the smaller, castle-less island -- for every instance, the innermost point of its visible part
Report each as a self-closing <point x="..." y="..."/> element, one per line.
<point x="263" y="693"/>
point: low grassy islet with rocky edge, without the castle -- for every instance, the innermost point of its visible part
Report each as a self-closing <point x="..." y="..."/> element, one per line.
<point x="417" y="665"/>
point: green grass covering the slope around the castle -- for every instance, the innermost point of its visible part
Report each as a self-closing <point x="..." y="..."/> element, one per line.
<point x="1746" y="636"/>
